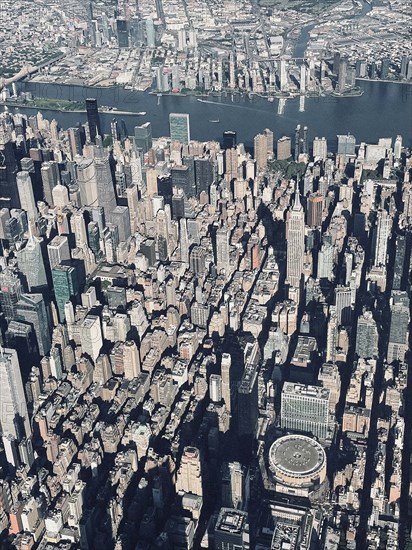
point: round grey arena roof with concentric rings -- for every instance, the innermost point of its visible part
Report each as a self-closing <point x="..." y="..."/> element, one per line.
<point x="297" y="457"/>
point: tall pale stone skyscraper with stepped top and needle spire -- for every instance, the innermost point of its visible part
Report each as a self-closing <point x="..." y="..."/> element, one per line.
<point x="295" y="239"/>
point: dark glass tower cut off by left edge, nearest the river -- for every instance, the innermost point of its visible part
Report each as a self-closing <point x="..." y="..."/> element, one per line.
<point x="9" y="196"/>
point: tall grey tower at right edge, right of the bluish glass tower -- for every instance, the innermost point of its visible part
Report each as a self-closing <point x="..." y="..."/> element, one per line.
<point x="398" y="332"/>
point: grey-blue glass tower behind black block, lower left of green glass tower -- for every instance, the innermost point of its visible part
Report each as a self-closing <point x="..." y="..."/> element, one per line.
<point x="32" y="309"/>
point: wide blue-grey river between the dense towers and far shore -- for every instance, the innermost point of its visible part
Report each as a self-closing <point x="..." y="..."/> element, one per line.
<point x="384" y="110"/>
